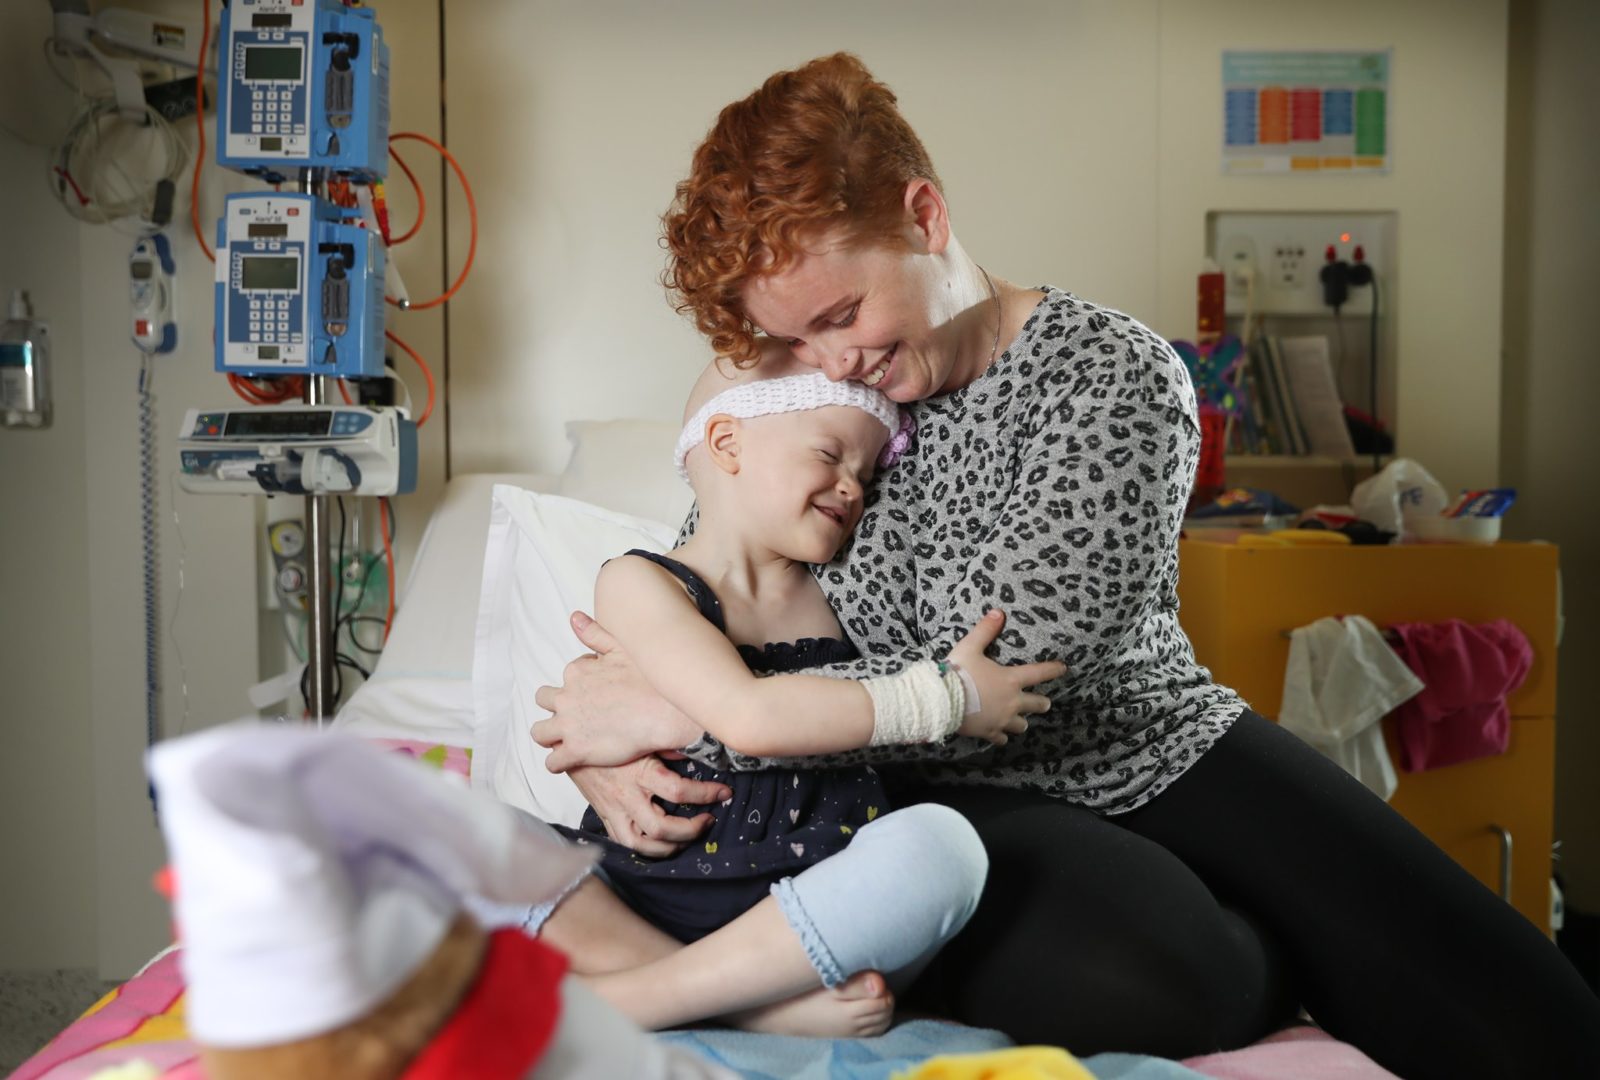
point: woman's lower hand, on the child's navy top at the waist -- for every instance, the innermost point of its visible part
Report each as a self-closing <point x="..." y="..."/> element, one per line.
<point x="623" y="798"/>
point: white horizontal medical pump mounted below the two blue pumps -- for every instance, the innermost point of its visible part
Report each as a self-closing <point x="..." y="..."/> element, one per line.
<point x="298" y="450"/>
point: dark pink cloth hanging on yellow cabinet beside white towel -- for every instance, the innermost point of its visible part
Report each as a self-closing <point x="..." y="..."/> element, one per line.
<point x="1468" y="671"/>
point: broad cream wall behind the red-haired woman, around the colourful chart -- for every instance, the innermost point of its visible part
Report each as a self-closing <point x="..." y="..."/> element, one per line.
<point x="1079" y="145"/>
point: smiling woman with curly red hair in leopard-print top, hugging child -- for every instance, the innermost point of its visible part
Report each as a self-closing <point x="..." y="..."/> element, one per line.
<point x="1170" y="873"/>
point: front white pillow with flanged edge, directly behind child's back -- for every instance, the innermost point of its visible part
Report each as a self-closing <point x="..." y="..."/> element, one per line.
<point x="540" y="566"/>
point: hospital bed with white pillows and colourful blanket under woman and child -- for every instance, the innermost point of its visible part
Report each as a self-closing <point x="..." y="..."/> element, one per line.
<point x="428" y="698"/>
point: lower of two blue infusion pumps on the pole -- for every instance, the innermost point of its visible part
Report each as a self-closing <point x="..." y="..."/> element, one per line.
<point x="300" y="289"/>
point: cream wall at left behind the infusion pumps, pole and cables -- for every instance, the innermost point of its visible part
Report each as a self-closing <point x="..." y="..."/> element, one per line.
<point x="84" y="839"/>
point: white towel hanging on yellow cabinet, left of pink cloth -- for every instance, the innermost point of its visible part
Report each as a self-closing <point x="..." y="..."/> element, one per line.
<point x="1340" y="682"/>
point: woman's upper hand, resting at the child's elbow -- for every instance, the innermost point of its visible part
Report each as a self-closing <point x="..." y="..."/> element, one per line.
<point x="606" y="713"/>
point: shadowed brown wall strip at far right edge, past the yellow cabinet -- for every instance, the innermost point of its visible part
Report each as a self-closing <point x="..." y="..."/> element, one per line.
<point x="1553" y="383"/>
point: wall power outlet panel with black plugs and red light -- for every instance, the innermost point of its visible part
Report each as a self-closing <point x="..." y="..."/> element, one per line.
<point x="1286" y="252"/>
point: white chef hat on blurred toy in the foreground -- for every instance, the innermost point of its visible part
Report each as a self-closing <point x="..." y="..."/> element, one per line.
<point x="316" y="873"/>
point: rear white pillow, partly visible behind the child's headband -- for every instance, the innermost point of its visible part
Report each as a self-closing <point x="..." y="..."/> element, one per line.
<point x="626" y="465"/>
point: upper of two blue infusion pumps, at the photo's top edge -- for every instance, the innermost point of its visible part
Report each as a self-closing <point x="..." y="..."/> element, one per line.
<point x="305" y="86"/>
